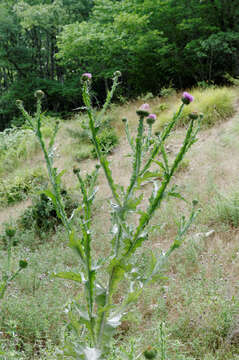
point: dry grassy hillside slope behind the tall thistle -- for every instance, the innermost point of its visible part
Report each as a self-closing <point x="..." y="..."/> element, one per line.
<point x="193" y="310"/>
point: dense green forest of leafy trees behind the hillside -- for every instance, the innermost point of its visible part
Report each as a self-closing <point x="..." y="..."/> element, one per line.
<point x="48" y="44"/>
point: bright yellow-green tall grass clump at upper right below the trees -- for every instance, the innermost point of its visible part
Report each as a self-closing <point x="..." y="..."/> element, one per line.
<point x="217" y="105"/>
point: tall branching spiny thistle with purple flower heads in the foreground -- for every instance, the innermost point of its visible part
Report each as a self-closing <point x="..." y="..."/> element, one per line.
<point x="96" y="316"/>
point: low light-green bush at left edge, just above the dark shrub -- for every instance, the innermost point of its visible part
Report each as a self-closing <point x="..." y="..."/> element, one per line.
<point x="17" y="188"/>
